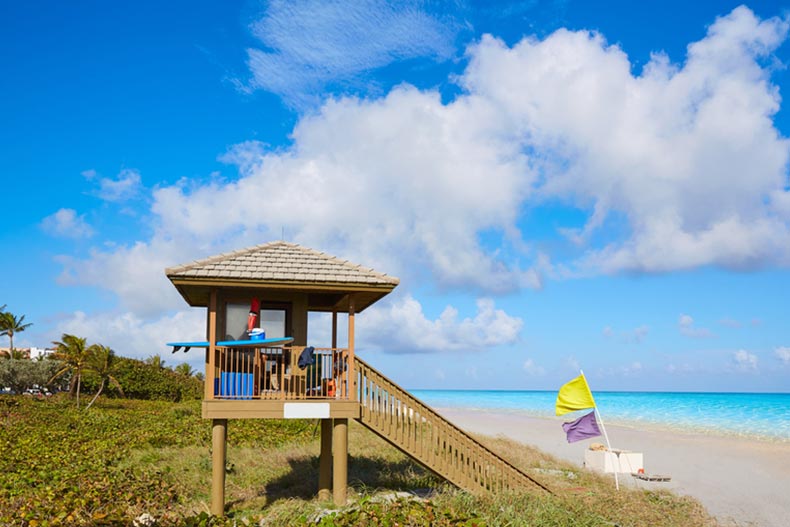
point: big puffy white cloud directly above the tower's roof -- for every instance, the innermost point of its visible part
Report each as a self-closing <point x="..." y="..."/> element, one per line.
<point x="404" y="184"/>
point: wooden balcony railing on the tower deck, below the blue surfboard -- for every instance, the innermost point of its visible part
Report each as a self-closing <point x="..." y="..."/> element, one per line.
<point x="274" y="374"/>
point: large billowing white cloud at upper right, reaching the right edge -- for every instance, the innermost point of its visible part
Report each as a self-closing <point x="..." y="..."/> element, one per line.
<point x="687" y="154"/>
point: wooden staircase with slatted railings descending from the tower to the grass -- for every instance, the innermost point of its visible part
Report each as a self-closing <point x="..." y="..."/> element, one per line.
<point x="431" y="440"/>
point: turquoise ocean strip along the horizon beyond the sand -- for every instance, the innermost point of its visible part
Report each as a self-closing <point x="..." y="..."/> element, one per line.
<point x="754" y="415"/>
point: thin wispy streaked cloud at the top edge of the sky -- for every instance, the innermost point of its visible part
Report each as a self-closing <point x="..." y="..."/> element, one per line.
<point x="313" y="43"/>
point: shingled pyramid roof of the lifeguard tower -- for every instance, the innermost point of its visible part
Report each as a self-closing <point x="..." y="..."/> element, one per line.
<point x="280" y="265"/>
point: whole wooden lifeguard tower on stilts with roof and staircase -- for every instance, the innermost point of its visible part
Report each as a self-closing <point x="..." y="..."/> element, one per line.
<point x="280" y="377"/>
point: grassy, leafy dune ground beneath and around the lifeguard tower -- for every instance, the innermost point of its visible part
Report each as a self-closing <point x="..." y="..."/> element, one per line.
<point x="123" y="458"/>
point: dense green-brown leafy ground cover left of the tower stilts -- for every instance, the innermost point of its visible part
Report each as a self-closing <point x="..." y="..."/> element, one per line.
<point x="60" y="466"/>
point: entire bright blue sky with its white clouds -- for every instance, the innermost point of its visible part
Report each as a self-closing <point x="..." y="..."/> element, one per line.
<point x="558" y="185"/>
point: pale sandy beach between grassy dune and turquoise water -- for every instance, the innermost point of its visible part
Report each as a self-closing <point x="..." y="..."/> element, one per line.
<point x="740" y="481"/>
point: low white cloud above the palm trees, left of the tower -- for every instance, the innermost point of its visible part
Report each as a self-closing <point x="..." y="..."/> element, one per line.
<point x="132" y="336"/>
